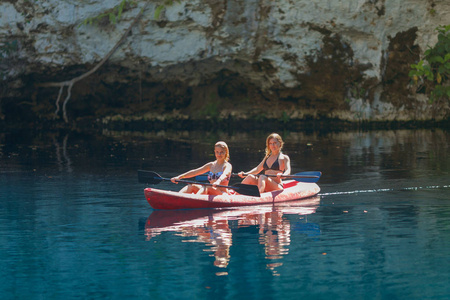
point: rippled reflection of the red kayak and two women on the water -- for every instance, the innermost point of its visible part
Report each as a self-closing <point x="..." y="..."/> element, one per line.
<point x="215" y="228"/>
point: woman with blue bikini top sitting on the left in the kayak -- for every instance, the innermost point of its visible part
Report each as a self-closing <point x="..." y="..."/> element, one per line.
<point x="219" y="173"/>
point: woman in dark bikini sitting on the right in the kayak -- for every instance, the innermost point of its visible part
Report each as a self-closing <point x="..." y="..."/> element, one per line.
<point x="274" y="163"/>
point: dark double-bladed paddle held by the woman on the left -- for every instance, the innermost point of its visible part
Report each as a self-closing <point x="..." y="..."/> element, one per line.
<point x="150" y="177"/>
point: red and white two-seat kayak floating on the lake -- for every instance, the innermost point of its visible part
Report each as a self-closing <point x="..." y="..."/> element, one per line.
<point x="293" y="190"/>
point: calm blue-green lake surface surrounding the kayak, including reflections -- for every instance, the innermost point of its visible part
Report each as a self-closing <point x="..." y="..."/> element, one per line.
<point x="74" y="222"/>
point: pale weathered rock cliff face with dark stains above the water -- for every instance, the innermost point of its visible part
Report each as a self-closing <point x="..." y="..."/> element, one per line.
<point x="340" y="59"/>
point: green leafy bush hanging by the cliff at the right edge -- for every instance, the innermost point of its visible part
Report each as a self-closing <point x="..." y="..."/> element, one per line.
<point x="433" y="72"/>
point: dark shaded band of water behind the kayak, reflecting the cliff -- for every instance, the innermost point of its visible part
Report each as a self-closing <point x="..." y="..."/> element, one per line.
<point x="370" y="159"/>
